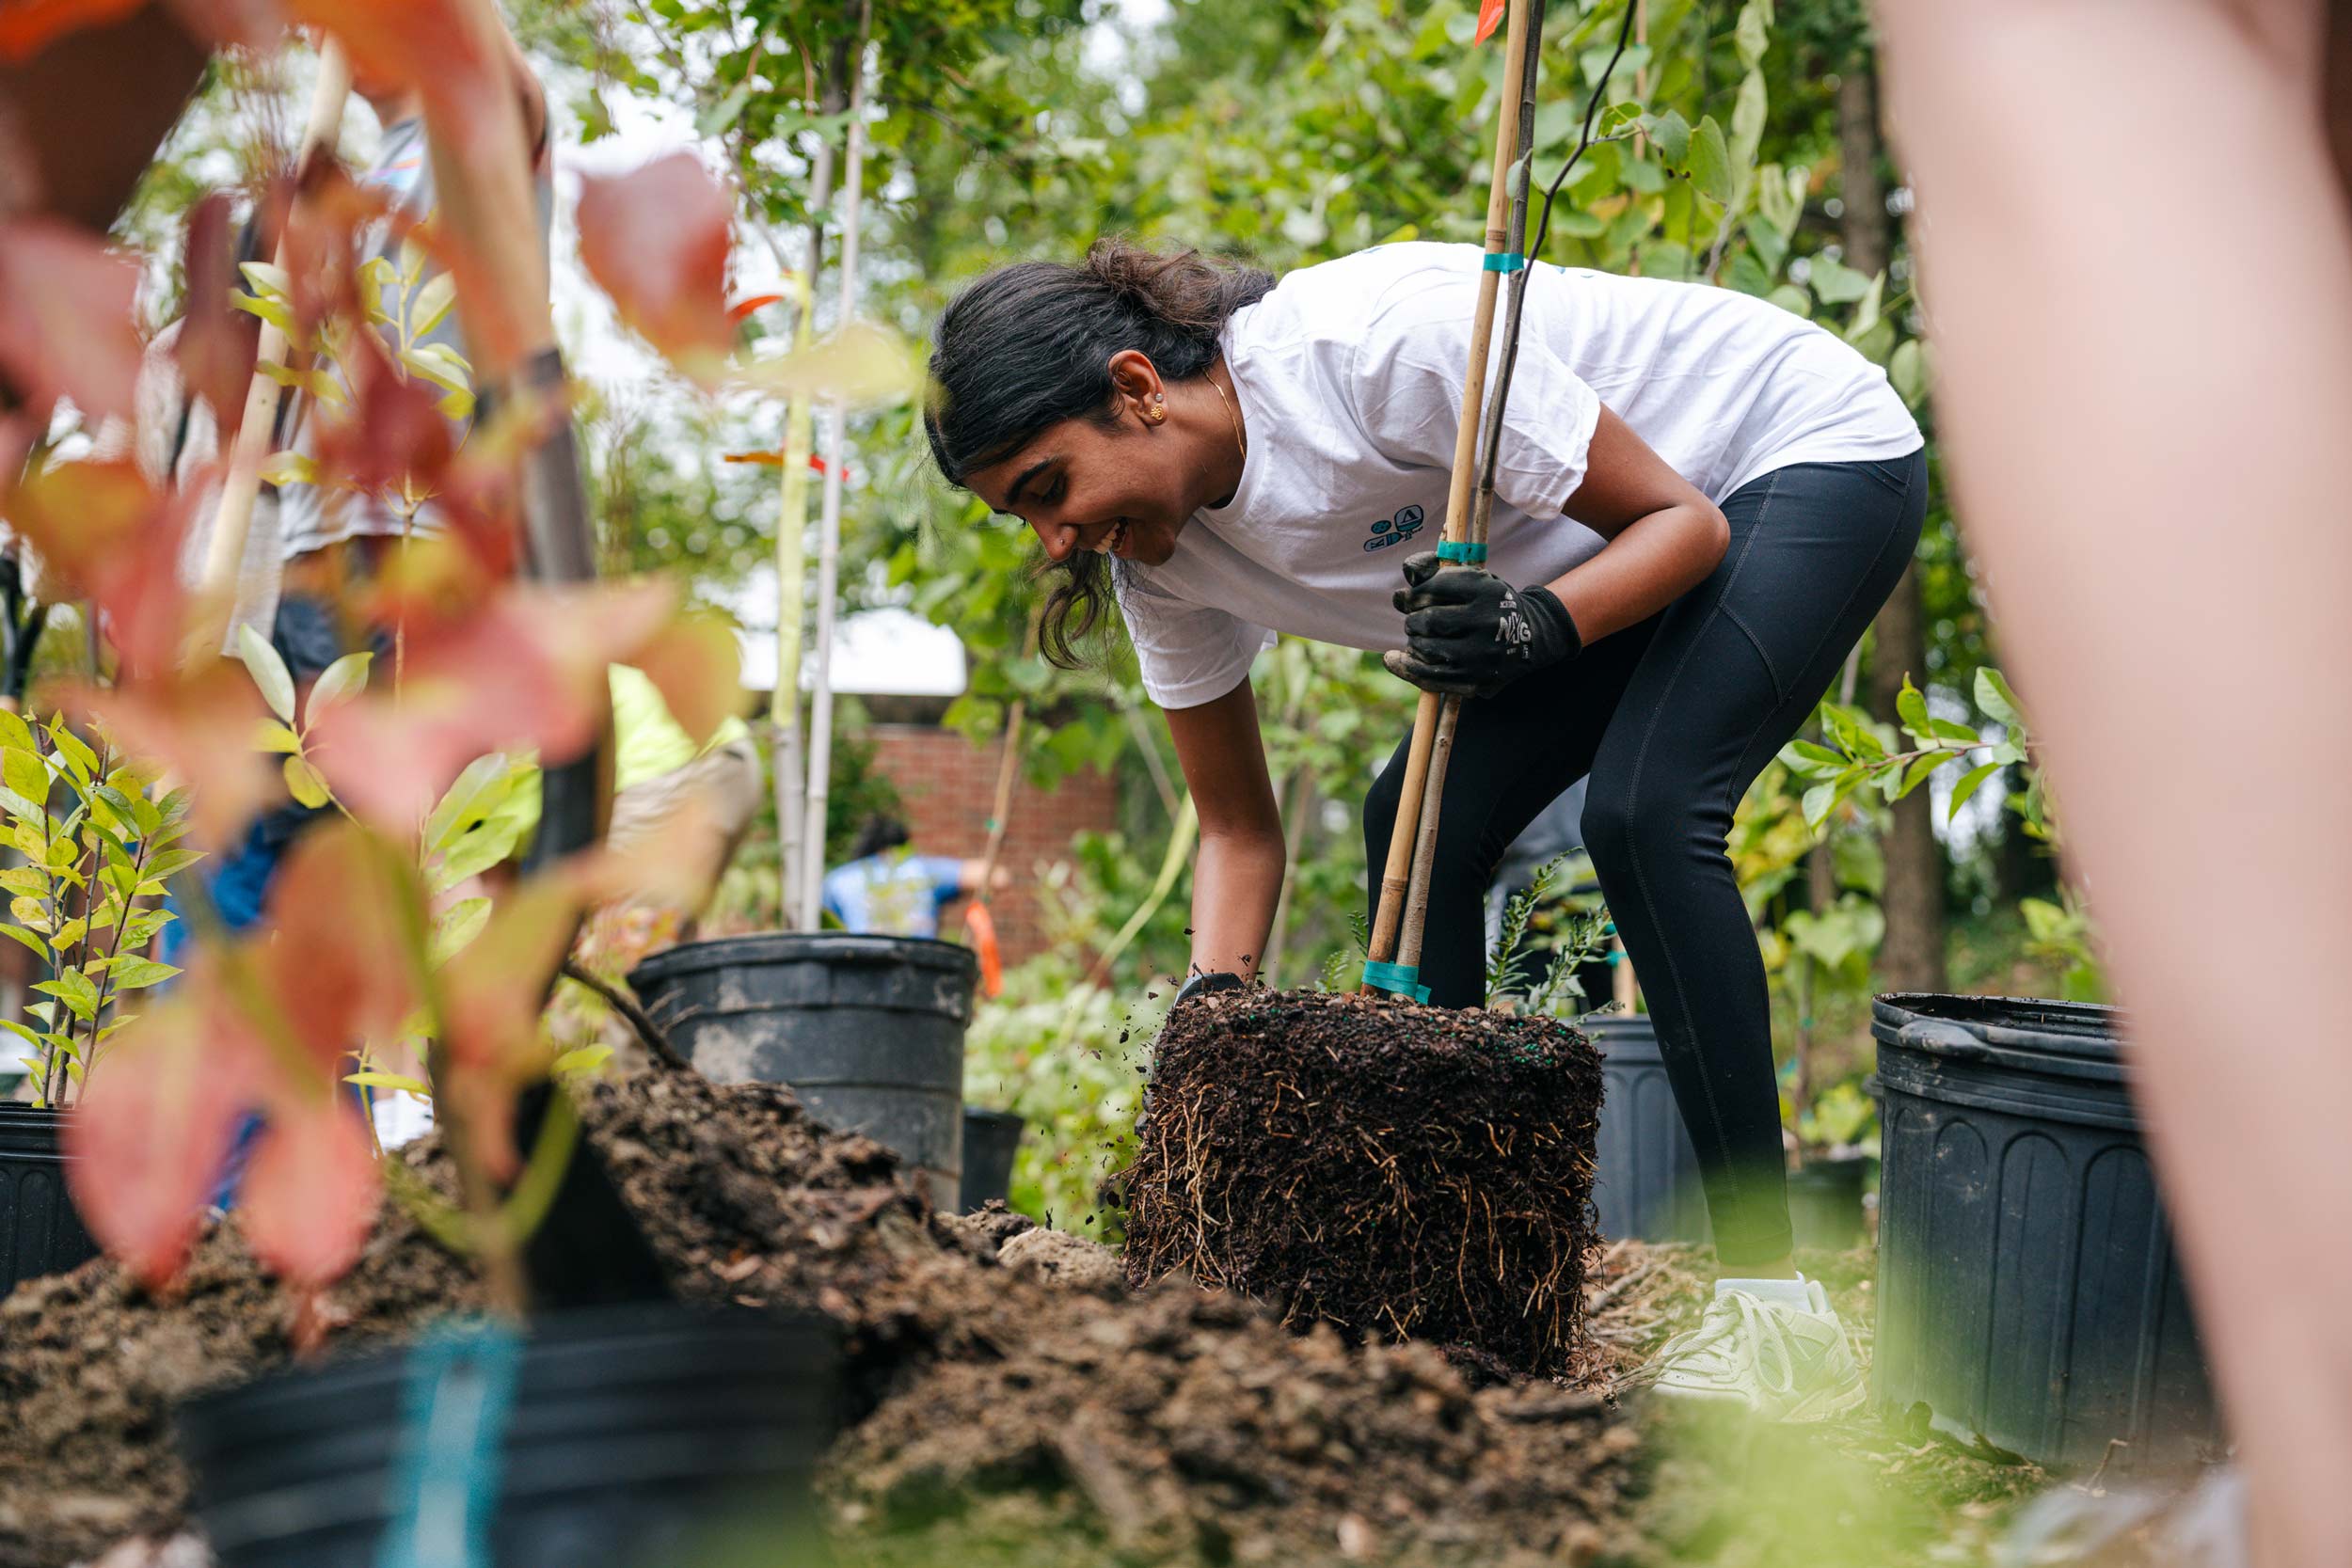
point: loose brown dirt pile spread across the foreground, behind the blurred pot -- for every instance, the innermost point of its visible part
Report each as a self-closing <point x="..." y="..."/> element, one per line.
<point x="1029" y="1400"/>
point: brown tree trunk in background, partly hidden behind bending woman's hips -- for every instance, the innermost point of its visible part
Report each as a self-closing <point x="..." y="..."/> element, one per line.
<point x="1913" y="951"/>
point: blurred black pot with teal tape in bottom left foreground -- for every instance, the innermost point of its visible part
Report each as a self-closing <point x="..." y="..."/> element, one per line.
<point x="622" y="1438"/>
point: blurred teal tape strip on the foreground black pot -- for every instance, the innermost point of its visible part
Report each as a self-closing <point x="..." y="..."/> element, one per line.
<point x="448" y="1468"/>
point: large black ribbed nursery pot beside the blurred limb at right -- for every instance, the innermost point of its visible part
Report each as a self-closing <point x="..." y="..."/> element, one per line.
<point x="2029" y="1282"/>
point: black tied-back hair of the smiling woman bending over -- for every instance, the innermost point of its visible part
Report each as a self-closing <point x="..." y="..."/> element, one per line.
<point x="1029" y="347"/>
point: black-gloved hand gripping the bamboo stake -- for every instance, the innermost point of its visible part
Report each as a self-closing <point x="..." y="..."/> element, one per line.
<point x="1471" y="634"/>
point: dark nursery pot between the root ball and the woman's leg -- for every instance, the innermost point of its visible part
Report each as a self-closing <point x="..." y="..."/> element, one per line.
<point x="1645" y="1170"/>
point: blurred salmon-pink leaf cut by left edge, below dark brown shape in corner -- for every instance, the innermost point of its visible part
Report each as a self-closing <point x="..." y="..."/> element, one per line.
<point x="67" y="319"/>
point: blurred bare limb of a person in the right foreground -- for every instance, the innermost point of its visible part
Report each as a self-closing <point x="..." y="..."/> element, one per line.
<point x="2146" y="436"/>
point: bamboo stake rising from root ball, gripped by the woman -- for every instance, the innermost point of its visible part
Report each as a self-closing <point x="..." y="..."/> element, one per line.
<point x="1405" y="878"/>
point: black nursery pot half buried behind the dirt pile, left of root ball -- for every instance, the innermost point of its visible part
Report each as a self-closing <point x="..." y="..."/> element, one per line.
<point x="869" y="1031"/>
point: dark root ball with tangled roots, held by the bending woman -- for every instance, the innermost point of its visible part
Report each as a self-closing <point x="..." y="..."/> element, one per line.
<point x="1391" y="1170"/>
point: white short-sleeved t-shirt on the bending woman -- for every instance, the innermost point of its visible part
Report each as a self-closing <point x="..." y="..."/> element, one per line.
<point x="1351" y="380"/>
